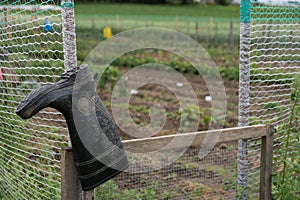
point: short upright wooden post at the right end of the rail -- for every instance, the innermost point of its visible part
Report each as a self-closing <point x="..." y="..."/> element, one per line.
<point x="266" y="165"/>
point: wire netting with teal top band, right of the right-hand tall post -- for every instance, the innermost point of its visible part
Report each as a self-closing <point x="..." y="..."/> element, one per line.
<point x="274" y="61"/>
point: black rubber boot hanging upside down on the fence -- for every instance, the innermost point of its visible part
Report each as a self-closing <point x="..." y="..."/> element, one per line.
<point x="98" y="151"/>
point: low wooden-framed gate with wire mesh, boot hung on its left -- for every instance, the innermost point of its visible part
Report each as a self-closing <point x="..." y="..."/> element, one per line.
<point x="189" y="177"/>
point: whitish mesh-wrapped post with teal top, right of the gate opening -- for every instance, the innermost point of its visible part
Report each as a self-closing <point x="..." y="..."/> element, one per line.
<point x="244" y="96"/>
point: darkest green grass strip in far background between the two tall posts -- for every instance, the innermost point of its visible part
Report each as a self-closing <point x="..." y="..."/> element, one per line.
<point x="157" y="10"/>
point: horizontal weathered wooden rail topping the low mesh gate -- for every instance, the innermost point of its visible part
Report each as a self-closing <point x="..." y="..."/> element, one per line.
<point x="197" y="138"/>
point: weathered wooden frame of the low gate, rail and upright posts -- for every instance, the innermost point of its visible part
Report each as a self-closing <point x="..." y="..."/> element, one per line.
<point x="69" y="174"/>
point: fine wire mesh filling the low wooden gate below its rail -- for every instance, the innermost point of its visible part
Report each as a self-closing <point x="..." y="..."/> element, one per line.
<point x="189" y="177"/>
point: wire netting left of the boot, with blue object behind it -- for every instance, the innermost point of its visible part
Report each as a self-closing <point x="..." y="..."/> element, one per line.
<point x="31" y="55"/>
